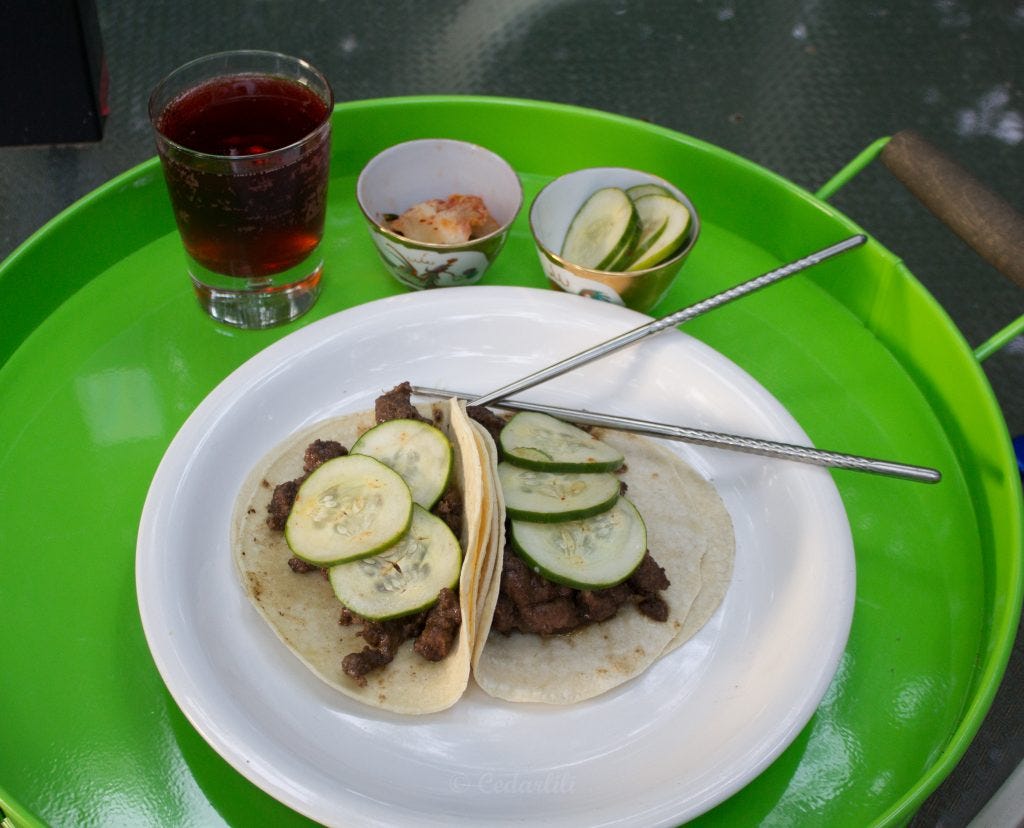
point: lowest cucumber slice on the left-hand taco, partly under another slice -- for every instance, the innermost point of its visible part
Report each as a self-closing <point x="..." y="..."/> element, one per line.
<point x="407" y="577"/>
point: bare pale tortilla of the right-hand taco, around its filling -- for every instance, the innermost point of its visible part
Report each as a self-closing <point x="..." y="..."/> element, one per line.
<point x="690" y="534"/>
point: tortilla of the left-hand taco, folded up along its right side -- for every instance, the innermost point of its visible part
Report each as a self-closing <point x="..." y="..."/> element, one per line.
<point x="303" y="609"/>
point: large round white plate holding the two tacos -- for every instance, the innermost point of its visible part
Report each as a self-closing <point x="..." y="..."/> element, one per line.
<point x="661" y="750"/>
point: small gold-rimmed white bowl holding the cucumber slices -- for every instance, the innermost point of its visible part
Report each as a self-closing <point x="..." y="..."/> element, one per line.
<point x="551" y="214"/>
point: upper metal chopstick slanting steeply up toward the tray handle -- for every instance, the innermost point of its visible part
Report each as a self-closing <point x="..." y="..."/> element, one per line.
<point x="680" y="317"/>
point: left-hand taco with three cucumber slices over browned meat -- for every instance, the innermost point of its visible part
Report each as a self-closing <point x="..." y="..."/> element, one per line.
<point x="406" y="564"/>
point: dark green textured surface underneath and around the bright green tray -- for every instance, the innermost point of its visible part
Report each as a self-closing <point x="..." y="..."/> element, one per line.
<point x="797" y="88"/>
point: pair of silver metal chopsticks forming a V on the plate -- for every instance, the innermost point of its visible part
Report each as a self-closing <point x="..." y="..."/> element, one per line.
<point x="753" y="446"/>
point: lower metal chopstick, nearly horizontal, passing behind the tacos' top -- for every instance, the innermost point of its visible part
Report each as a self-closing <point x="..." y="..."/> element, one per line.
<point x="750" y="446"/>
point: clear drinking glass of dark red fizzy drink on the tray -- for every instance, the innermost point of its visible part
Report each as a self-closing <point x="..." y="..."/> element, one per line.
<point x="244" y="139"/>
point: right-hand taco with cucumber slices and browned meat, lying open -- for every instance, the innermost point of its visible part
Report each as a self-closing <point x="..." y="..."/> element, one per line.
<point x="585" y="596"/>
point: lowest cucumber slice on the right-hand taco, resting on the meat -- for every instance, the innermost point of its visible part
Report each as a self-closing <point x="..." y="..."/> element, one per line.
<point x="590" y="554"/>
